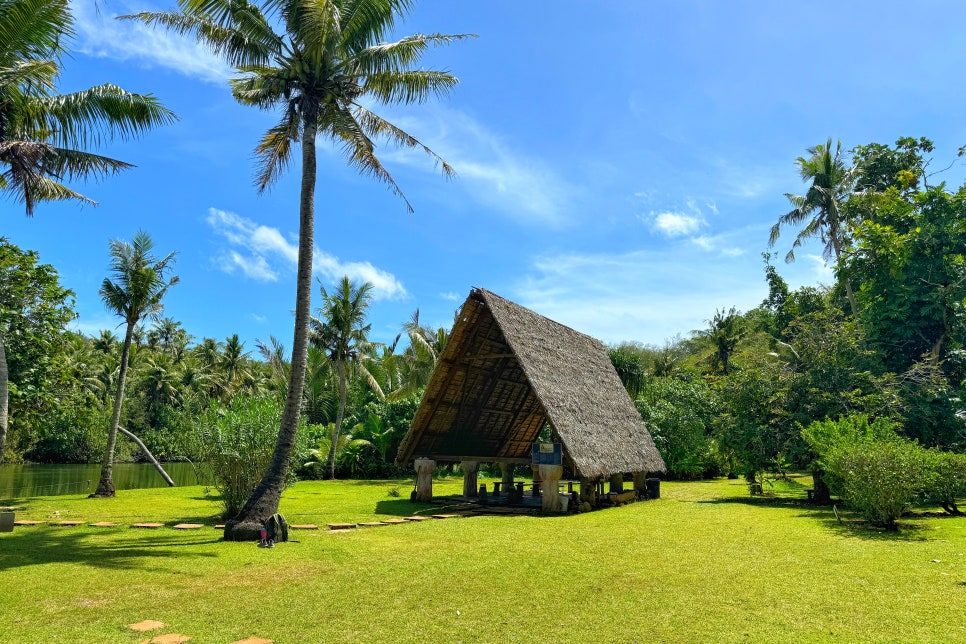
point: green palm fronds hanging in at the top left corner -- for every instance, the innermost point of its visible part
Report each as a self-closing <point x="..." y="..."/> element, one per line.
<point x="43" y="133"/>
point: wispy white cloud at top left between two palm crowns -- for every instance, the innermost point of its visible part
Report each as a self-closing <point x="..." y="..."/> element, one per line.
<point x="101" y="35"/>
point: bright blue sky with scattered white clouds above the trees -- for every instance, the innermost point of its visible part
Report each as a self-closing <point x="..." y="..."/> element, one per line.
<point x="619" y="164"/>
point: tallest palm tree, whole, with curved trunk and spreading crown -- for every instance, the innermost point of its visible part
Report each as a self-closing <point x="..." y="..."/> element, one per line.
<point x="323" y="68"/>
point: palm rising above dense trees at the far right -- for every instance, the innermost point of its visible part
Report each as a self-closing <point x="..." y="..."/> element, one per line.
<point x="821" y="208"/>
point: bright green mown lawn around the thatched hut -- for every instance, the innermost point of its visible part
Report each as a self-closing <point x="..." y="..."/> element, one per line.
<point x="705" y="563"/>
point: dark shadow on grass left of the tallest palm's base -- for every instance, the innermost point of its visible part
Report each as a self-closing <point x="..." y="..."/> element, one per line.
<point x="29" y="547"/>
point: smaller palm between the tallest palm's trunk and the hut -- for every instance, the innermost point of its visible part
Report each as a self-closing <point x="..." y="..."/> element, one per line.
<point x="340" y="331"/>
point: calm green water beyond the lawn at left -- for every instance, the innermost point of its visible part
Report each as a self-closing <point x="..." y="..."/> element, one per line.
<point x="19" y="481"/>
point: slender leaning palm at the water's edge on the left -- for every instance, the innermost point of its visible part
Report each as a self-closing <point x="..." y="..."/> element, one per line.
<point x="139" y="282"/>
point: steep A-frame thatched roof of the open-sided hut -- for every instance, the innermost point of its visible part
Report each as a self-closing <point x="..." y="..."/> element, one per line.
<point x="506" y="372"/>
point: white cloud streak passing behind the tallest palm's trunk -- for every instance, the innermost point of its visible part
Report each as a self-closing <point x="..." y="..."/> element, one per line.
<point x="256" y="250"/>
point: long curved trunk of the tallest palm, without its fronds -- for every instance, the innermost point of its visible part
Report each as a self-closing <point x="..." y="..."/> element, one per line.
<point x="263" y="502"/>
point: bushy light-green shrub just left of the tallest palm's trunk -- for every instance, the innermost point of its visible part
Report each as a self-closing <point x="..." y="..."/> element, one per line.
<point x="240" y="440"/>
